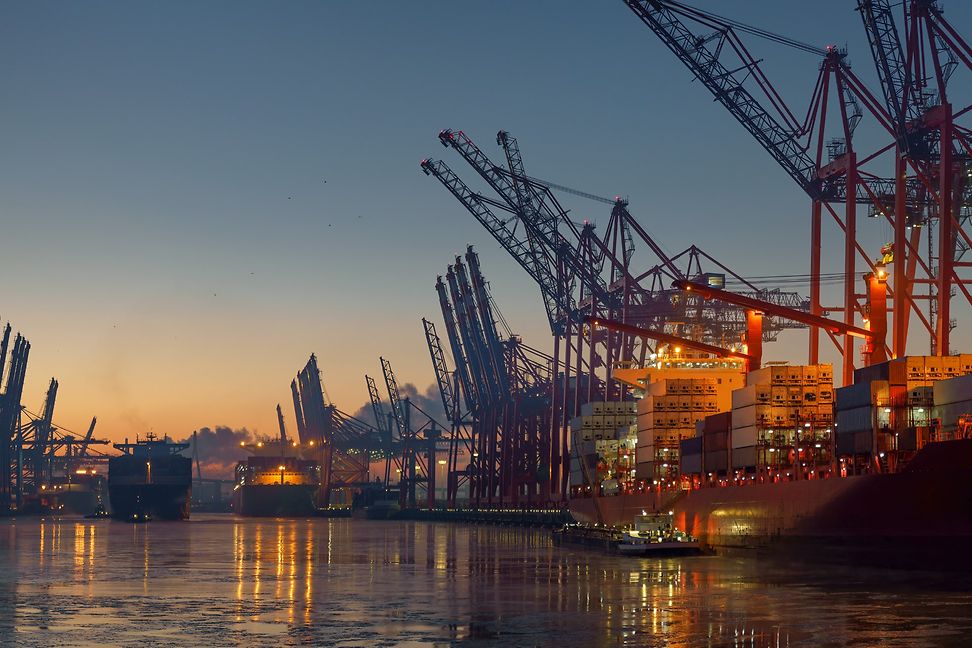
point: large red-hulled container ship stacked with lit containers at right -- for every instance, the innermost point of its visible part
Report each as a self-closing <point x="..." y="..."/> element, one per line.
<point x="777" y="459"/>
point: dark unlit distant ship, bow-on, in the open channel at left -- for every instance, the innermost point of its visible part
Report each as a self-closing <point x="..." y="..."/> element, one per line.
<point x="150" y="479"/>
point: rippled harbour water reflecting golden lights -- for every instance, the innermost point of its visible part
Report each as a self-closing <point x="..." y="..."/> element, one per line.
<point x="222" y="581"/>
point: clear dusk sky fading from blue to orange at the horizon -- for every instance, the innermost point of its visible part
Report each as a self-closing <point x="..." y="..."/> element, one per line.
<point x="196" y="196"/>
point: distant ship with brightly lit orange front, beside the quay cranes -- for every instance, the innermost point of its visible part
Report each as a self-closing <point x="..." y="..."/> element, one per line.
<point x="277" y="480"/>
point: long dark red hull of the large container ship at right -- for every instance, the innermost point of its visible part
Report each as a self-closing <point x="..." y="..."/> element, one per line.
<point x="918" y="518"/>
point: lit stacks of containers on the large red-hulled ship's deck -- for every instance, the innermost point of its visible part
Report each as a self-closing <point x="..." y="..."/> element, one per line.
<point x="787" y="422"/>
